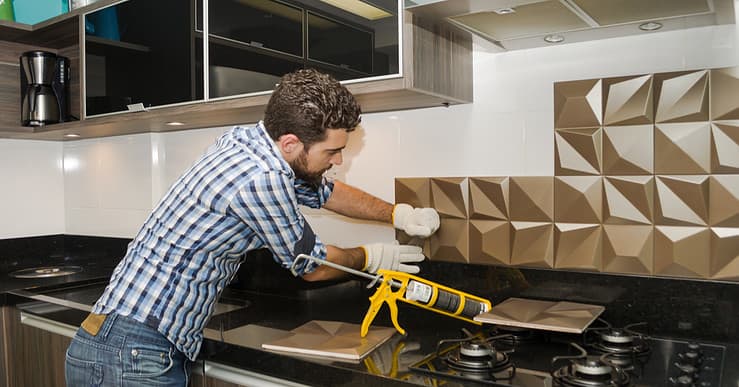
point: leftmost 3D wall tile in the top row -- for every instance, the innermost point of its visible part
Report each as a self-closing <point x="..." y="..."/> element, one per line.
<point x="577" y="104"/>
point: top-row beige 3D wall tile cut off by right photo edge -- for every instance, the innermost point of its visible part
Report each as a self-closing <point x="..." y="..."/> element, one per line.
<point x="724" y="89"/>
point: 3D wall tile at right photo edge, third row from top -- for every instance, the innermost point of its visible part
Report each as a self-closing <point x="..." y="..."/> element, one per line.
<point x="723" y="201"/>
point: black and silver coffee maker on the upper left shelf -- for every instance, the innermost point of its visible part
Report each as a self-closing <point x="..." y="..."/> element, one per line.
<point x="44" y="88"/>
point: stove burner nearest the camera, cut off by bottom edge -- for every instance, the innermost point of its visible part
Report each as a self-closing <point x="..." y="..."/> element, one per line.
<point x="589" y="371"/>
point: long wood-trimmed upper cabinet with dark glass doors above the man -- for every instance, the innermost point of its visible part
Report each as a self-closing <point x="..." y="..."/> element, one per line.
<point x="205" y="63"/>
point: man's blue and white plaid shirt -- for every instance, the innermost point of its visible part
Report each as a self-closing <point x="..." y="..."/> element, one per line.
<point x="241" y="195"/>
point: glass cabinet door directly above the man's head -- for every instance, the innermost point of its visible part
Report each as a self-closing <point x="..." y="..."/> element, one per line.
<point x="252" y="43"/>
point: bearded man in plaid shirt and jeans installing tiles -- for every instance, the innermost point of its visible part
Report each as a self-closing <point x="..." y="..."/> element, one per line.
<point x="242" y="194"/>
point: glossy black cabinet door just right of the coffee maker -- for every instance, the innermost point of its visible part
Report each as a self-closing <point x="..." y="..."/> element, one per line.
<point x="141" y="51"/>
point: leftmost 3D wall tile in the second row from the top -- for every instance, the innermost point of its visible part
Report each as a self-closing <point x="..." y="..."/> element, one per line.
<point x="577" y="151"/>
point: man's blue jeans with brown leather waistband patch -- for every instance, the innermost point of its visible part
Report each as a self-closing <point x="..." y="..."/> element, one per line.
<point x="124" y="353"/>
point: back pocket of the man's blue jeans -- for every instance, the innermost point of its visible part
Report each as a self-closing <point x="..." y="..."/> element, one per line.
<point x="146" y="360"/>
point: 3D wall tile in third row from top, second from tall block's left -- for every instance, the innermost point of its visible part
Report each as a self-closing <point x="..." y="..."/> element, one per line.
<point x="628" y="199"/>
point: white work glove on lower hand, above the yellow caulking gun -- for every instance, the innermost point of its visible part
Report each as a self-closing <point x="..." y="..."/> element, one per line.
<point x="391" y="256"/>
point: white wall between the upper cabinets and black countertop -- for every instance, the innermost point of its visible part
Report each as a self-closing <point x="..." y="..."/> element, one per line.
<point x="111" y="184"/>
